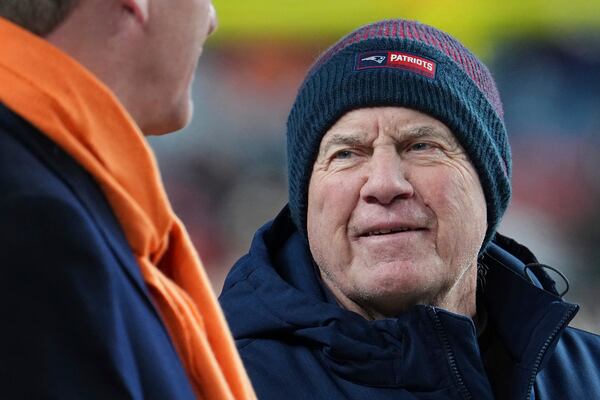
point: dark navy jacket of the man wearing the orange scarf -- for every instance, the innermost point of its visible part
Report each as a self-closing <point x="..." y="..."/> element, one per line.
<point x="77" y="321"/>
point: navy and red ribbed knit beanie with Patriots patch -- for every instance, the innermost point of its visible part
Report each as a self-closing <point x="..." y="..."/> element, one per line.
<point x="407" y="64"/>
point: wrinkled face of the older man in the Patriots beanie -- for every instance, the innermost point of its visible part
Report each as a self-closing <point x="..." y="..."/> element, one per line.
<point x="396" y="213"/>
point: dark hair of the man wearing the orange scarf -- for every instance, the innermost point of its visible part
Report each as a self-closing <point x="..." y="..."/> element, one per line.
<point x="37" y="16"/>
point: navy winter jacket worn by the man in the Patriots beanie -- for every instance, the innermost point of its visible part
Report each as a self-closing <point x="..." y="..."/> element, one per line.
<point x="297" y="343"/>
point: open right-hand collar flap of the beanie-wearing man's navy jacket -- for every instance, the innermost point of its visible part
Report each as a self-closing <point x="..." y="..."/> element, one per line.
<point x="525" y="312"/>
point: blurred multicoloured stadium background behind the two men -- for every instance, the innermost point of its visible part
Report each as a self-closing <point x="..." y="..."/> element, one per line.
<point x="226" y="172"/>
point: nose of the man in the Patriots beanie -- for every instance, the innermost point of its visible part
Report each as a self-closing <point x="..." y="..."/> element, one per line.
<point x="386" y="181"/>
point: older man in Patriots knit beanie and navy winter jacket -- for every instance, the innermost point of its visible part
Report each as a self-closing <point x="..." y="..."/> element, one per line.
<point x="384" y="277"/>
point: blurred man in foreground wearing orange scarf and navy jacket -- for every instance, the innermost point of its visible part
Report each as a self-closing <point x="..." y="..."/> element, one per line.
<point x="101" y="293"/>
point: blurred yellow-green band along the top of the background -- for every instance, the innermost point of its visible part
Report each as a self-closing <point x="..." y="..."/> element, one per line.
<point x="478" y="24"/>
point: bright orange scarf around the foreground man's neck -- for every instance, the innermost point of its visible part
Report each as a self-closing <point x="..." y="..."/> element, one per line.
<point x="74" y="109"/>
